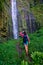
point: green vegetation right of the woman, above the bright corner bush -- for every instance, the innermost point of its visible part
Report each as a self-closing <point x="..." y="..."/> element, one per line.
<point x="36" y="41"/>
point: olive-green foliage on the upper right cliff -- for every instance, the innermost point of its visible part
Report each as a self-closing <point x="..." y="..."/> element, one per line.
<point x="38" y="13"/>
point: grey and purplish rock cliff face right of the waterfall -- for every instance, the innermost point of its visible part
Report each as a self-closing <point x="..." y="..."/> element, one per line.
<point x="26" y="19"/>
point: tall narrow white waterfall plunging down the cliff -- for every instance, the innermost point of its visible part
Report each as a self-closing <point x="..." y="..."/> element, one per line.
<point x="14" y="18"/>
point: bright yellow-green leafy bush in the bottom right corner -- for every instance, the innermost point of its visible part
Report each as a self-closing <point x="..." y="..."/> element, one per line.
<point x="37" y="58"/>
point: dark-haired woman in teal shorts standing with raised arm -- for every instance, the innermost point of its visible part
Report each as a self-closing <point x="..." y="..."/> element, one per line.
<point x="26" y="40"/>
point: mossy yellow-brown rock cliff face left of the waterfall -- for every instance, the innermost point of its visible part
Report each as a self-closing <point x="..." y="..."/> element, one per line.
<point x="5" y="19"/>
